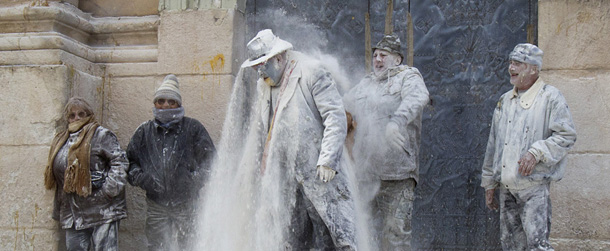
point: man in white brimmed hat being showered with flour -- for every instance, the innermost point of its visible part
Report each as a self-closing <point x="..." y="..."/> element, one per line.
<point x="303" y="128"/>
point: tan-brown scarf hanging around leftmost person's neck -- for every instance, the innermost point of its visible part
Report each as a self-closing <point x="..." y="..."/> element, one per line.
<point x="77" y="177"/>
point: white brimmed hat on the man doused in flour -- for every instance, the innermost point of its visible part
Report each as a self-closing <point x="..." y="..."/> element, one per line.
<point x="263" y="47"/>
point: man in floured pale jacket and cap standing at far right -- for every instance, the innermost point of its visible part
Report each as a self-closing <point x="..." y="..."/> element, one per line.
<point x="531" y="134"/>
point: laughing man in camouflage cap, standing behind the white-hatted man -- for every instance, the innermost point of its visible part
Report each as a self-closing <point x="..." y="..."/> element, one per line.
<point x="387" y="107"/>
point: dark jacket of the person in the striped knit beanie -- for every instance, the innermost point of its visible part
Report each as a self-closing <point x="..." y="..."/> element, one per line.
<point x="170" y="164"/>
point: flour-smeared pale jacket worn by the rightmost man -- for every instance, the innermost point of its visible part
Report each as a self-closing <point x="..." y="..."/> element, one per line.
<point x="537" y="121"/>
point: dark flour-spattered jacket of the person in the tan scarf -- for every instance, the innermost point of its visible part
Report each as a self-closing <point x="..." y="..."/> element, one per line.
<point x="106" y="203"/>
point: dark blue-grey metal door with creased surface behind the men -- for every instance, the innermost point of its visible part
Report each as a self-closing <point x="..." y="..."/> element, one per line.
<point x="461" y="48"/>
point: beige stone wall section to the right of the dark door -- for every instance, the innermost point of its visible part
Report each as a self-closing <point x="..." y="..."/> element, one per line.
<point x="574" y="36"/>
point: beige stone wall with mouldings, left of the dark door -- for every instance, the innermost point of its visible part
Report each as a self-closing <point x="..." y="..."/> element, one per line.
<point x="52" y="50"/>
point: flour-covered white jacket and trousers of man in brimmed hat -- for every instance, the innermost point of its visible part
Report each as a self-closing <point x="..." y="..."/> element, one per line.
<point x="309" y="130"/>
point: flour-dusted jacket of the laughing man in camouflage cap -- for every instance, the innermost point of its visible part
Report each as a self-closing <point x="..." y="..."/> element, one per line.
<point x="398" y="96"/>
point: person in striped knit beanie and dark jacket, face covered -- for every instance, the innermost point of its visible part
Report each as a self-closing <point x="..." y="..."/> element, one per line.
<point x="170" y="158"/>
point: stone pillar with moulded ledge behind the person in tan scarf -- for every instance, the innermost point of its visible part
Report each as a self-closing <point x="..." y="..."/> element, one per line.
<point x="49" y="52"/>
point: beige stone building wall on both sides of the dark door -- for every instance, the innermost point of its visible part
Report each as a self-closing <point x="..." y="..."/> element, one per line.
<point x="114" y="53"/>
